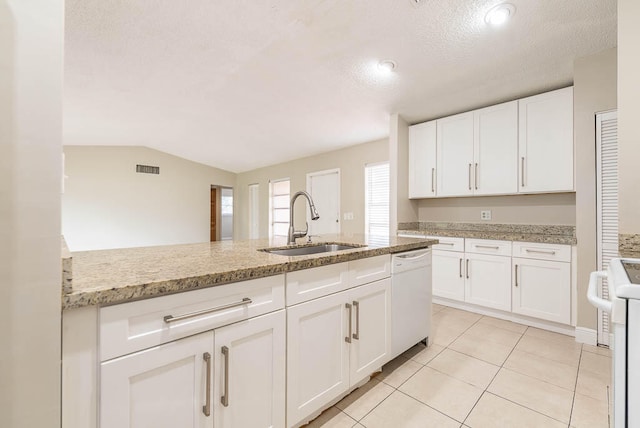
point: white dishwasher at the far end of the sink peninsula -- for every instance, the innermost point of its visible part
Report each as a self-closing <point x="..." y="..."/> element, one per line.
<point x="410" y="299"/>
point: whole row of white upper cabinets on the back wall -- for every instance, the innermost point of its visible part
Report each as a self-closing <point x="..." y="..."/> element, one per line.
<point x="523" y="146"/>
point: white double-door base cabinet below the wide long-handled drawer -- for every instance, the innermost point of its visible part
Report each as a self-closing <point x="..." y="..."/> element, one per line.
<point x="234" y="375"/>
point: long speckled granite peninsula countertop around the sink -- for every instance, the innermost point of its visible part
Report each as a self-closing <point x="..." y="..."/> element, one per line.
<point x="116" y="276"/>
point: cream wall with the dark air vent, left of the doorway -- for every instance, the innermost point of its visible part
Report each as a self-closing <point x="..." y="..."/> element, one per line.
<point x="106" y="204"/>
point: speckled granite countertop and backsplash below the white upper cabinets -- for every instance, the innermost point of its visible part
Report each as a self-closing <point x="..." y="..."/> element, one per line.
<point x="550" y="234"/>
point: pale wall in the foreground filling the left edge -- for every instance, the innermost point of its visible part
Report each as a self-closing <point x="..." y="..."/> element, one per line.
<point x="31" y="41"/>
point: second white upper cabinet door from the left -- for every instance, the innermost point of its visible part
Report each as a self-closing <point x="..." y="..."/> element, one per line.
<point x="455" y="155"/>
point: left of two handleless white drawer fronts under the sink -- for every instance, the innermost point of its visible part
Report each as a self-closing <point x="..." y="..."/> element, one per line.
<point x="307" y="284"/>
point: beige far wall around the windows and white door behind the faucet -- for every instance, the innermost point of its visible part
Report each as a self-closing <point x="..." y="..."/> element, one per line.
<point x="350" y="161"/>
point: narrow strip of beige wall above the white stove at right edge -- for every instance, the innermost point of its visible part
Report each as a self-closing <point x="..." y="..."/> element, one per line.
<point x="628" y="114"/>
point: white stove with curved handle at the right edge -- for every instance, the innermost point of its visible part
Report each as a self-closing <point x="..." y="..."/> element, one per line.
<point x="624" y="290"/>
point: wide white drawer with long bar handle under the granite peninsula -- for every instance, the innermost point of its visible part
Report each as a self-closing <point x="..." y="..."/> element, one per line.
<point x="130" y="327"/>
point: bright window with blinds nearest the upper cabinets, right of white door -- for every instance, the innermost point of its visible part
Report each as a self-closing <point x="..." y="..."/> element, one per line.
<point x="376" y="212"/>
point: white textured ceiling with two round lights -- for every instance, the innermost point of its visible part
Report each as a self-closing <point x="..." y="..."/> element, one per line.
<point x="240" y="84"/>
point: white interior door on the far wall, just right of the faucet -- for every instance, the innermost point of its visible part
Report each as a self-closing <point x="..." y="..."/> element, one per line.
<point x="324" y="188"/>
